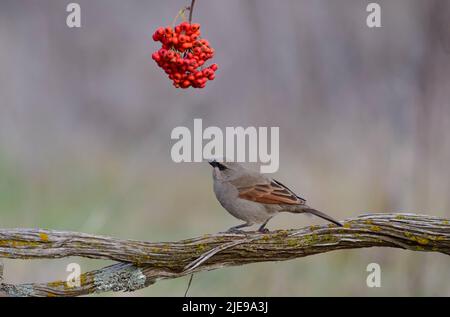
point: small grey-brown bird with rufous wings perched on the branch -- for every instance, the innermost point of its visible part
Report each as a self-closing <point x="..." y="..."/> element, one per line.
<point x="255" y="198"/>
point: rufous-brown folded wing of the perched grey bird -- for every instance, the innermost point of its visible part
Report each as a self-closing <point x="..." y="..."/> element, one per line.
<point x="271" y="192"/>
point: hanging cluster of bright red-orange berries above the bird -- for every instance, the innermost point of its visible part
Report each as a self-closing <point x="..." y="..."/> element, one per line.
<point x="183" y="55"/>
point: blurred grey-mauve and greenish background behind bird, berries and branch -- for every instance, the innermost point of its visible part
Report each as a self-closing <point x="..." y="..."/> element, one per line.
<point x="364" y="117"/>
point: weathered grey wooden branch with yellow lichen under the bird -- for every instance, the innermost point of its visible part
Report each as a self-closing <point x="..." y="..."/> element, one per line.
<point x="143" y="263"/>
